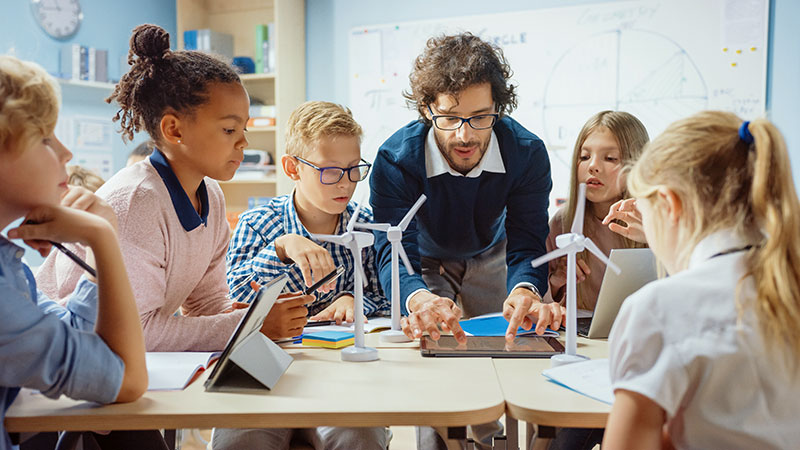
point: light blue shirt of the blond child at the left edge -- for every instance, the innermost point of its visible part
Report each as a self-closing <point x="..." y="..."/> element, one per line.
<point x="46" y="346"/>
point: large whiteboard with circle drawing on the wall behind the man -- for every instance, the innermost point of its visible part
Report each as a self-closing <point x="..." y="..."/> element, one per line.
<point x="659" y="60"/>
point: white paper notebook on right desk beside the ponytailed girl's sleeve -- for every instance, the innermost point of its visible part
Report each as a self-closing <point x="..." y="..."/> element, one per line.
<point x="590" y="378"/>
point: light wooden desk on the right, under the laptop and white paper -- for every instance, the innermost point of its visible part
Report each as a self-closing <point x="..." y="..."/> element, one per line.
<point x="530" y="397"/>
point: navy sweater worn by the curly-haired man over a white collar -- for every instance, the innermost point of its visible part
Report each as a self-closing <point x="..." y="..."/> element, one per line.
<point x="463" y="217"/>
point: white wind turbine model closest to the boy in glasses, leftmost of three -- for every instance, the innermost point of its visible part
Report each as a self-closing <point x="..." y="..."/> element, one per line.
<point x="355" y="241"/>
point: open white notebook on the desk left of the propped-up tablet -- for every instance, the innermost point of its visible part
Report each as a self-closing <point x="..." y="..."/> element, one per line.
<point x="167" y="371"/>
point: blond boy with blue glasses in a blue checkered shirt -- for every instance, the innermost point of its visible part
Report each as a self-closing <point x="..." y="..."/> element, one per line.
<point x="323" y="157"/>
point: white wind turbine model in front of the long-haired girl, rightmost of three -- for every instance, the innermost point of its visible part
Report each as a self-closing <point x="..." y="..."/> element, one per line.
<point x="571" y="244"/>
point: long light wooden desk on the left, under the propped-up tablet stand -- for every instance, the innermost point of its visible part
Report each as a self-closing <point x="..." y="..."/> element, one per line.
<point x="402" y="388"/>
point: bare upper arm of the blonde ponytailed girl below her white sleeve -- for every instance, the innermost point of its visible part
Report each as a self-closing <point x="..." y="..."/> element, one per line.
<point x="635" y="422"/>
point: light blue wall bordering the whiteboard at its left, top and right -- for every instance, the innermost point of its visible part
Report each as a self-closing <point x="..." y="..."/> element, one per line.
<point x="328" y="23"/>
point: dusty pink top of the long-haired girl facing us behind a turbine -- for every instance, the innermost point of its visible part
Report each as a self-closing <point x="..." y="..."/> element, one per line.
<point x="605" y="240"/>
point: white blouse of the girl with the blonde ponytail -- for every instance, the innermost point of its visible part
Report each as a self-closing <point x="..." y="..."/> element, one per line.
<point x="678" y="342"/>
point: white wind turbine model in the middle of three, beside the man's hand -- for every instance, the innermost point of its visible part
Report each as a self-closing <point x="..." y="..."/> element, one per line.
<point x="394" y="233"/>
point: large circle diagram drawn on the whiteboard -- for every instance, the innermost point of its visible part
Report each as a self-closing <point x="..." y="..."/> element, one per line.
<point x="640" y="72"/>
